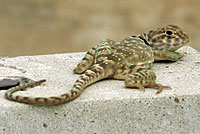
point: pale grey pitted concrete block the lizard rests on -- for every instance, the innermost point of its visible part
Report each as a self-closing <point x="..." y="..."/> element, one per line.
<point x="106" y="107"/>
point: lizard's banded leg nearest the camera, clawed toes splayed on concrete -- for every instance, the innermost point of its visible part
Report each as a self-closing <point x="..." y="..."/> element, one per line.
<point x="142" y="79"/>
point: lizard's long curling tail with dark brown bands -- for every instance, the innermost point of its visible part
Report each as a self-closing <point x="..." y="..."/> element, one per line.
<point x="92" y="75"/>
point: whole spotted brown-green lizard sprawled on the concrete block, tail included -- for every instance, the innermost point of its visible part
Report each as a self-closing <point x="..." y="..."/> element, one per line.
<point x="129" y="59"/>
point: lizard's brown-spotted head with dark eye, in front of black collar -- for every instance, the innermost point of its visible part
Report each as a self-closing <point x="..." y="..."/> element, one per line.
<point x="167" y="38"/>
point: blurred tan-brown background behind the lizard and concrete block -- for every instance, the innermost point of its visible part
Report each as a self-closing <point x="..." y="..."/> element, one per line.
<point x="33" y="27"/>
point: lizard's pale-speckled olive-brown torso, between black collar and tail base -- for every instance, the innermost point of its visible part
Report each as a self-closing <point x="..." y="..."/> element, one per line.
<point x="129" y="55"/>
